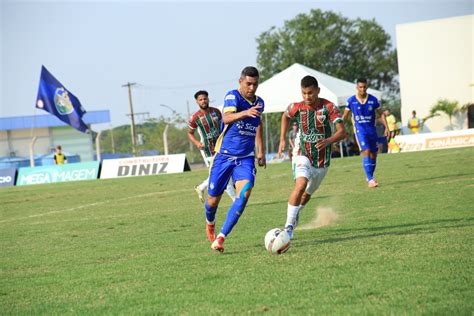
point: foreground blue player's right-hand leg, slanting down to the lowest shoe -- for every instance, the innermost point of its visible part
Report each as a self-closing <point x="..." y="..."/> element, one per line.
<point x="244" y="176"/>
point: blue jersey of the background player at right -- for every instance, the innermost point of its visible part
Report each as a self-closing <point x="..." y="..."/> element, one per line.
<point x="363" y="114"/>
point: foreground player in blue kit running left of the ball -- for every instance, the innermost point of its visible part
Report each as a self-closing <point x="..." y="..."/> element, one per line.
<point x="235" y="154"/>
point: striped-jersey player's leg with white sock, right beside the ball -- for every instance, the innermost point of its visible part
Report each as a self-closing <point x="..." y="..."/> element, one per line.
<point x="302" y="174"/>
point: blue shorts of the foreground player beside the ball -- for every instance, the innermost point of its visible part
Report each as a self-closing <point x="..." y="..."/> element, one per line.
<point x="223" y="167"/>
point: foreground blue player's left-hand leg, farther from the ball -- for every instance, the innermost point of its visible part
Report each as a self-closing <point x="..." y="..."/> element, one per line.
<point x="219" y="176"/>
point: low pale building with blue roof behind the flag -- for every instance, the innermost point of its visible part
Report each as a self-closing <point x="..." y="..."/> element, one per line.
<point x="16" y="135"/>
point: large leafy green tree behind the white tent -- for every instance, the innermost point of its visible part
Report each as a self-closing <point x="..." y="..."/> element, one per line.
<point x="326" y="41"/>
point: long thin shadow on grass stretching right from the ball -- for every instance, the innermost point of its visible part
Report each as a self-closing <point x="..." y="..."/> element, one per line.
<point x="410" y="229"/>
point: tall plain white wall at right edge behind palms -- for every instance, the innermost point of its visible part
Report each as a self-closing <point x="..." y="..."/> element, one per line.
<point x="436" y="61"/>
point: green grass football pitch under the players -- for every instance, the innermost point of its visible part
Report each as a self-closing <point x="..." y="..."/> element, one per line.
<point x="137" y="245"/>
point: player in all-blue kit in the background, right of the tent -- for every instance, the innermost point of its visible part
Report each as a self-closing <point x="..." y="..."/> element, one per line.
<point x="364" y="108"/>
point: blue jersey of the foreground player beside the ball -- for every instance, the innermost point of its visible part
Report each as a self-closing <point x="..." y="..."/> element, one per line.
<point x="238" y="138"/>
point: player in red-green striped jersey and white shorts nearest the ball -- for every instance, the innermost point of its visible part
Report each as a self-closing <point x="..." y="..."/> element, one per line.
<point x="314" y="116"/>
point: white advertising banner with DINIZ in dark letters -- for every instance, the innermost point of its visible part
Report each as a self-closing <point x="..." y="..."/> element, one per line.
<point x="143" y="166"/>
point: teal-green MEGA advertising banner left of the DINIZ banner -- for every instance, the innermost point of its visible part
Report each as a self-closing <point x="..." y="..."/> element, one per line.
<point x="59" y="173"/>
